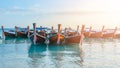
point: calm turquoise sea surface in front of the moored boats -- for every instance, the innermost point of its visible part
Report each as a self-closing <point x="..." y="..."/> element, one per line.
<point x="95" y="53"/>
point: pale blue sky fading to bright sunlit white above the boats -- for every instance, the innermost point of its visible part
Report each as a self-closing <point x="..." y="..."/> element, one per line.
<point x="66" y="12"/>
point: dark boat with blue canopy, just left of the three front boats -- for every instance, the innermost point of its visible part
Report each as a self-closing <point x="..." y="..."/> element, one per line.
<point x="22" y="32"/>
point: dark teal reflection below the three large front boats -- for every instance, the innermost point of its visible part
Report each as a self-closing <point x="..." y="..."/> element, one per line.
<point x="52" y="56"/>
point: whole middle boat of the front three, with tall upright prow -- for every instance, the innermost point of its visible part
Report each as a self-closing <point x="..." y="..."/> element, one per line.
<point x="56" y="37"/>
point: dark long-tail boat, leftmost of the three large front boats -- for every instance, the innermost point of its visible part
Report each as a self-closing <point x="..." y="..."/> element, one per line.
<point x="38" y="37"/>
